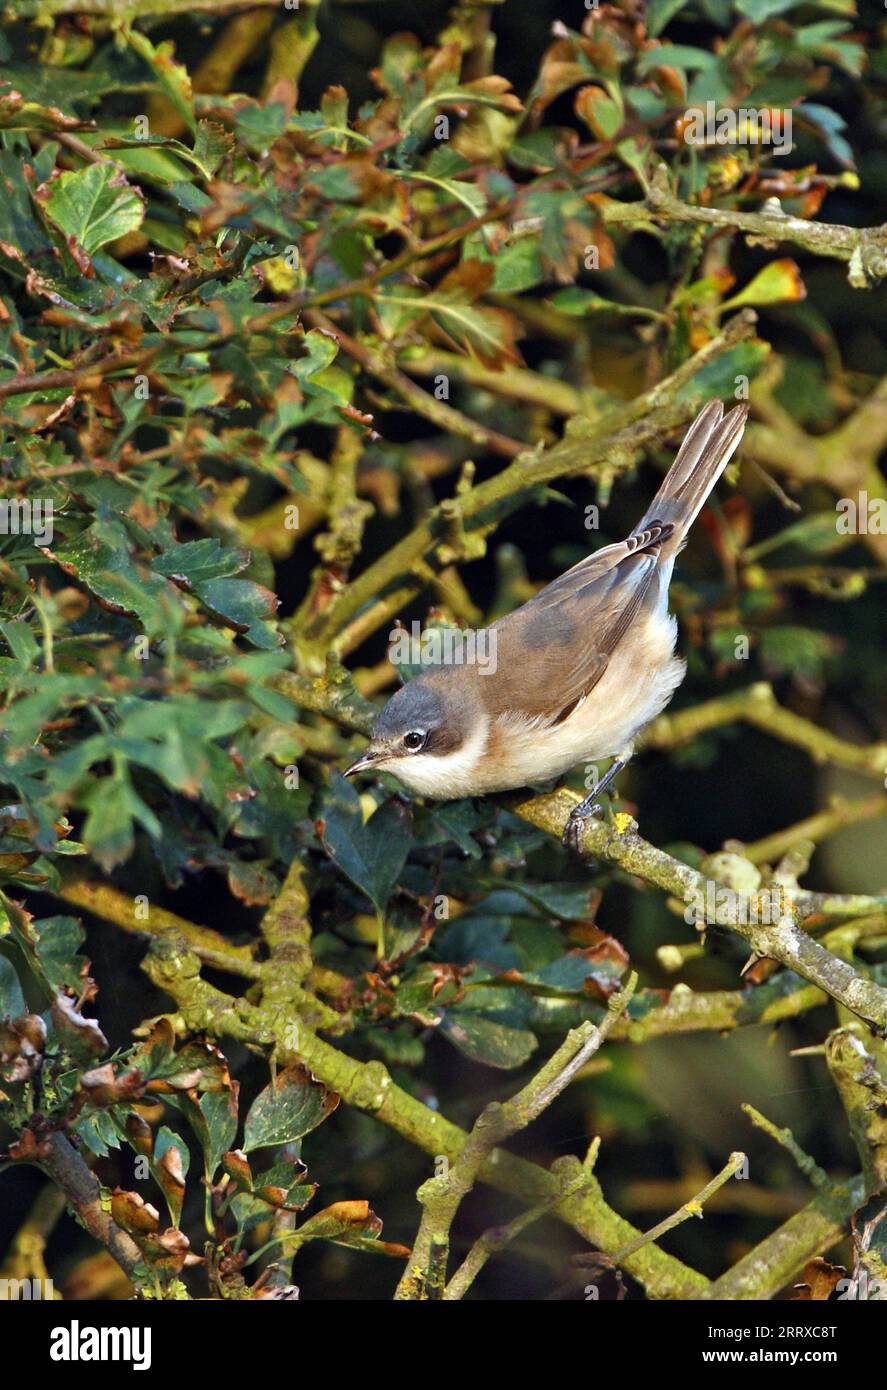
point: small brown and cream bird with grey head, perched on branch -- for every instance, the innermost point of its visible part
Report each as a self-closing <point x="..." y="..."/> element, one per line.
<point x="579" y="671"/>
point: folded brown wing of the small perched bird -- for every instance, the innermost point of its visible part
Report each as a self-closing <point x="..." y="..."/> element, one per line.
<point x="554" y="651"/>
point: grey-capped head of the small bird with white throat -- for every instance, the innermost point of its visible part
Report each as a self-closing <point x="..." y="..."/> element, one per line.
<point x="419" y="737"/>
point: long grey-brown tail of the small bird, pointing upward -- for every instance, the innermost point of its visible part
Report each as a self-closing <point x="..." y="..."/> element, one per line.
<point x="704" y="455"/>
